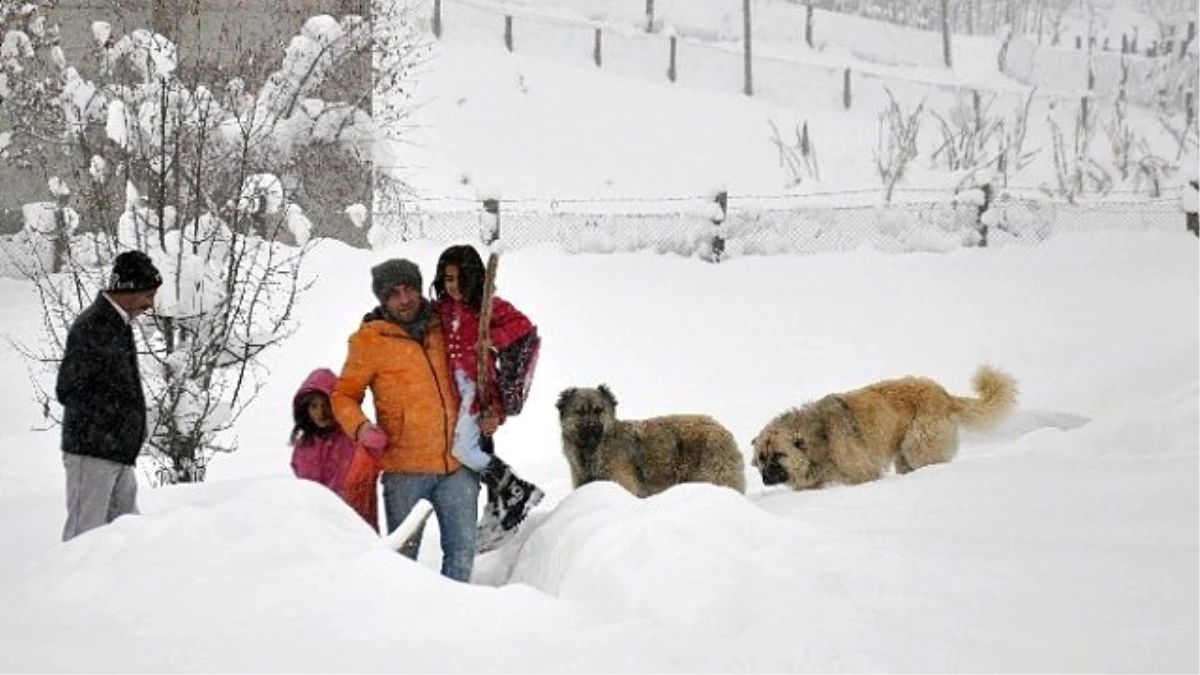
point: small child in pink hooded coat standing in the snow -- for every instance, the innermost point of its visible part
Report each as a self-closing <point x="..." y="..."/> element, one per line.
<point x="322" y="452"/>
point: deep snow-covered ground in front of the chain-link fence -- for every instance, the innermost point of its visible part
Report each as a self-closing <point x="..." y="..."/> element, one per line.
<point x="1066" y="541"/>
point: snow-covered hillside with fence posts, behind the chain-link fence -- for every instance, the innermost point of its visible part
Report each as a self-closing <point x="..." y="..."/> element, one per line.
<point x="547" y="123"/>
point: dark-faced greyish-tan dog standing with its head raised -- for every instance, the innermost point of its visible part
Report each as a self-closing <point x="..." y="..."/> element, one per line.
<point x="645" y="457"/>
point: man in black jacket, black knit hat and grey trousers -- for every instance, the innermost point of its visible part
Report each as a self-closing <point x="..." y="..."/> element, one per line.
<point x="104" y="408"/>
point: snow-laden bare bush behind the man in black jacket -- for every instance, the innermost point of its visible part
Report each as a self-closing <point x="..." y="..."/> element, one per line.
<point x="206" y="177"/>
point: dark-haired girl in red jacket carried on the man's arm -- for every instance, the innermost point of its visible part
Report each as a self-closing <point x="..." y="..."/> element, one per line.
<point x="459" y="297"/>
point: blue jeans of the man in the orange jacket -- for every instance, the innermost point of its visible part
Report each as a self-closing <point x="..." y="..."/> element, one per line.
<point x="455" y="499"/>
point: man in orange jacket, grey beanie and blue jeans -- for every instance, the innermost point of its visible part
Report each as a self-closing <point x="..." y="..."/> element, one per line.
<point x="400" y="354"/>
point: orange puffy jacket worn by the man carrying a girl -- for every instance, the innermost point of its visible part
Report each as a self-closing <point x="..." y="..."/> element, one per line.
<point x="415" y="396"/>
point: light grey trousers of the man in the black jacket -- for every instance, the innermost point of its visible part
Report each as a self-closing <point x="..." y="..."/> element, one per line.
<point x="99" y="492"/>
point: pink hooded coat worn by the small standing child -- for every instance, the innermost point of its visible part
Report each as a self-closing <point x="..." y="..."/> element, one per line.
<point x="335" y="461"/>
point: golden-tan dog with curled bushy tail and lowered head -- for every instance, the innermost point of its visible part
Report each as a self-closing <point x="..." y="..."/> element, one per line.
<point x="853" y="438"/>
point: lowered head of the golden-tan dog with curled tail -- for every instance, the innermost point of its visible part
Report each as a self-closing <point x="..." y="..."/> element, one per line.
<point x="790" y="447"/>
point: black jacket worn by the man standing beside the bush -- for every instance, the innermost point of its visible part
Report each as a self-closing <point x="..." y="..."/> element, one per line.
<point x="100" y="389"/>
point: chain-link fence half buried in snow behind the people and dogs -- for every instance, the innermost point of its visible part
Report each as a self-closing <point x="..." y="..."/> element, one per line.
<point x="712" y="230"/>
